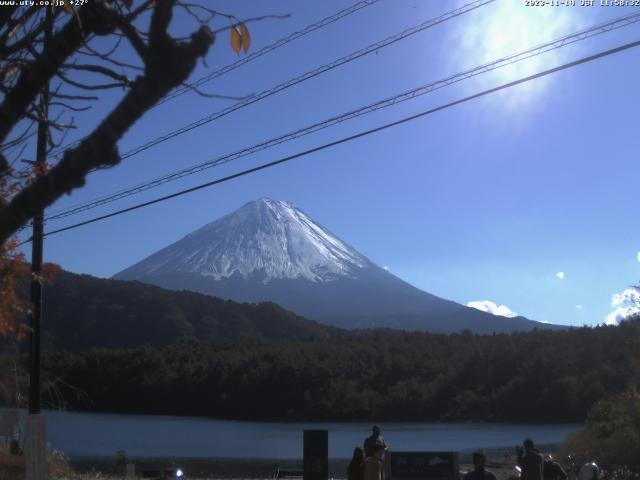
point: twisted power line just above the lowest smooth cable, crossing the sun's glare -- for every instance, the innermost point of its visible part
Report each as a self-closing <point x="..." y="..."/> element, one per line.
<point x="404" y="96"/>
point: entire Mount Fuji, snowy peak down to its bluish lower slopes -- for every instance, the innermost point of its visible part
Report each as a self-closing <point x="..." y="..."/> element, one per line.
<point x="269" y="250"/>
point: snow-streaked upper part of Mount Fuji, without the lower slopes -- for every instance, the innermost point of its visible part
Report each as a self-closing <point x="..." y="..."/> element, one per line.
<point x="270" y="239"/>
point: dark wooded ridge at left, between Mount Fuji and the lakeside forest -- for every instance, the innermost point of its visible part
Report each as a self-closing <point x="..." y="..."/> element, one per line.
<point x="83" y="312"/>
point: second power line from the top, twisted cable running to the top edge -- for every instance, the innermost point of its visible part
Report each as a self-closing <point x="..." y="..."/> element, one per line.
<point x="307" y="76"/>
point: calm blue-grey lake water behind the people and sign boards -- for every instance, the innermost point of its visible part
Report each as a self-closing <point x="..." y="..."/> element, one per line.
<point x="95" y="435"/>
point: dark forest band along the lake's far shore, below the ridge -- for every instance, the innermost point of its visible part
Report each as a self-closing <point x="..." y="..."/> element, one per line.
<point x="387" y="375"/>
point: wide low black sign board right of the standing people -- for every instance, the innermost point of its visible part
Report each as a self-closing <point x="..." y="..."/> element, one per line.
<point x="424" y="465"/>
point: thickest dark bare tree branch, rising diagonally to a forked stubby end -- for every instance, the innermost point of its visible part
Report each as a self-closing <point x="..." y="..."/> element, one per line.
<point x="168" y="65"/>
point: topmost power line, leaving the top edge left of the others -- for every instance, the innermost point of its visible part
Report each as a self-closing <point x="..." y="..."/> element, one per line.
<point x="253" y="56"/>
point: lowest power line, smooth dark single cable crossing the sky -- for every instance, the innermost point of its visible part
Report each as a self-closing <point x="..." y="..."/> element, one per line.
<point x="365" y="133"/>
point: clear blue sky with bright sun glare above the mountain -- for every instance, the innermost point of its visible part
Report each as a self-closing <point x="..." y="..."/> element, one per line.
<point x="488" y="200"/>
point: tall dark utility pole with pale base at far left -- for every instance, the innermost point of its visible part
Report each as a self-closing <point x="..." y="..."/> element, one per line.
<point x="35" y="441"/>
